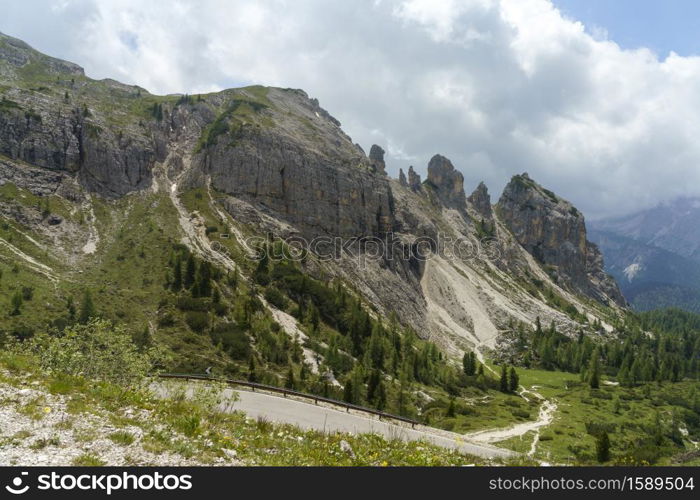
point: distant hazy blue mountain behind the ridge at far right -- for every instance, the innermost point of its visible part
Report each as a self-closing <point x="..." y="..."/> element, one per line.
<point x="654" y="254"/>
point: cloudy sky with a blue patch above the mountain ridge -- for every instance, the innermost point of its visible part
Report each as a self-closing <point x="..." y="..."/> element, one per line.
<point x="597" y="100"/>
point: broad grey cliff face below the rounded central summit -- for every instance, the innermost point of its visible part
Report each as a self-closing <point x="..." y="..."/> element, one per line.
<point x="323" y="185"/>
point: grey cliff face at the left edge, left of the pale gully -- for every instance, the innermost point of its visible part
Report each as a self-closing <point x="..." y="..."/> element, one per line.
<point x="54" y="128"/>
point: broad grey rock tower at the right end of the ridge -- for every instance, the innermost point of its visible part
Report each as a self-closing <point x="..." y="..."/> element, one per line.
<point x="554" y="232"/>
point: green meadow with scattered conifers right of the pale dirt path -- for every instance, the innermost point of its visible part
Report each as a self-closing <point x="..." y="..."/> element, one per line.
<point x="628" y="415"/>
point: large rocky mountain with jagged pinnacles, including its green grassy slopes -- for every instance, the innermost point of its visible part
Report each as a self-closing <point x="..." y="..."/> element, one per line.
<point x="113" y="192"/>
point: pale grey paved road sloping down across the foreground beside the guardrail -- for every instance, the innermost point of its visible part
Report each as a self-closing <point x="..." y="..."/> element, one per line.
<point x="326" y="418"/>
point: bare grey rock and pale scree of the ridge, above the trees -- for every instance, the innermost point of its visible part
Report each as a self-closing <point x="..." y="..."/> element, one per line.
<point x="272" y="162"/>
